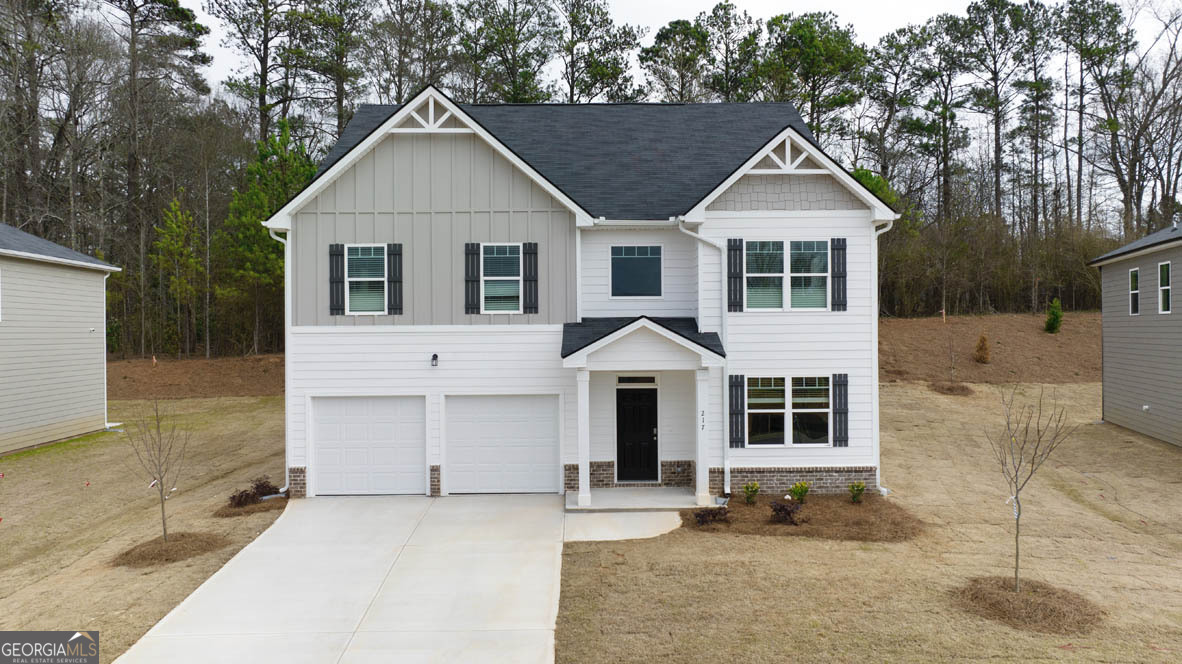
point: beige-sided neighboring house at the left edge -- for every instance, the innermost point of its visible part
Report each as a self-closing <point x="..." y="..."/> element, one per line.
<point x="53" y="341"/>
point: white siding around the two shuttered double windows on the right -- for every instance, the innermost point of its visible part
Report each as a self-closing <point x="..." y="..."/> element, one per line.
<point x="807" y="343"/>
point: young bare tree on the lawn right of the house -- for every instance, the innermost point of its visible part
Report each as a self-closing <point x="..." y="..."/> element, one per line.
<point x="1032" y="434"/>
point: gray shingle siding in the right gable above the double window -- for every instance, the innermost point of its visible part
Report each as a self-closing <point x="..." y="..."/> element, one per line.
<point x="787" y="193"/>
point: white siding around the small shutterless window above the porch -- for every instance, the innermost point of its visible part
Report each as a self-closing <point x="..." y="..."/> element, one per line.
<point x="679" y="278"/>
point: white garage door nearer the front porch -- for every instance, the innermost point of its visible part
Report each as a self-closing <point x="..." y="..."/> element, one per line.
<point x="502" y="445"/>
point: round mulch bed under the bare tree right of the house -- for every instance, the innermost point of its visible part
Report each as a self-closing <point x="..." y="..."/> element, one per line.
<point x="1037" y="608"/>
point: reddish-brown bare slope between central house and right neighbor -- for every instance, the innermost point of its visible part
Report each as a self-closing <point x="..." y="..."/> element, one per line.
<point x="917" y="349"/>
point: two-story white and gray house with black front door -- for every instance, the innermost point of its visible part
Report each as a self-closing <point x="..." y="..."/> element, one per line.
<point x="553" y="298"/>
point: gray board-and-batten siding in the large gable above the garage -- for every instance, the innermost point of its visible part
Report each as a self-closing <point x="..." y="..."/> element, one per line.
<point x="433" y="194"/>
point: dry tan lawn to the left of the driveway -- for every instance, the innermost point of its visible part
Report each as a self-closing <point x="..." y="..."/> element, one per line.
<point x="70" y="509"/>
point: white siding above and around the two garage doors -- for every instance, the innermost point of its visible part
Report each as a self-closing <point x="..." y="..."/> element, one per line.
<point x="397" y="361"/>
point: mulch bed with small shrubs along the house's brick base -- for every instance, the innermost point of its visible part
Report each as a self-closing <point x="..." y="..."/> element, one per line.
<point x="875" y="519"/>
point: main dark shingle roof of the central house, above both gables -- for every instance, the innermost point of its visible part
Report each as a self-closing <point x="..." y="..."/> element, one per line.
<point x="619" y="161"/>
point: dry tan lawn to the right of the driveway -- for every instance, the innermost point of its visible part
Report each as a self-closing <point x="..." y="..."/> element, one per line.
<point x="1103" y="519"/>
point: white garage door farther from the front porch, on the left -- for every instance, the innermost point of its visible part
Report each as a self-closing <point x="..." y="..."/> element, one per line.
<point x="369" y="446"/>
